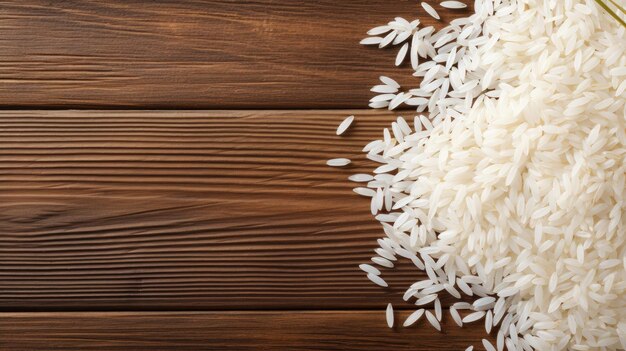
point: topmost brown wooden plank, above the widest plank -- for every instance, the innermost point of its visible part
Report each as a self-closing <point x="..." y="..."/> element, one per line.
<point x="195" y="54"/>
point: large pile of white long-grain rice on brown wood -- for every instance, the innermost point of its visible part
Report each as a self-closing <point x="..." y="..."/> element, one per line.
<point x="513" y="188"/>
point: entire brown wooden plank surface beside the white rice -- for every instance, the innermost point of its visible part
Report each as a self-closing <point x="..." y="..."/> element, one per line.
<point x="163" y="182"/>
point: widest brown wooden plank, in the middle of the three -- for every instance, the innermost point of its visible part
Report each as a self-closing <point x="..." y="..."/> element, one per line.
<point x="186" y="210"/>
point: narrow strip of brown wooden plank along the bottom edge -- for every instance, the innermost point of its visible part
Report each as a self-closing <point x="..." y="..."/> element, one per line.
<point x="292" y="330"/>
